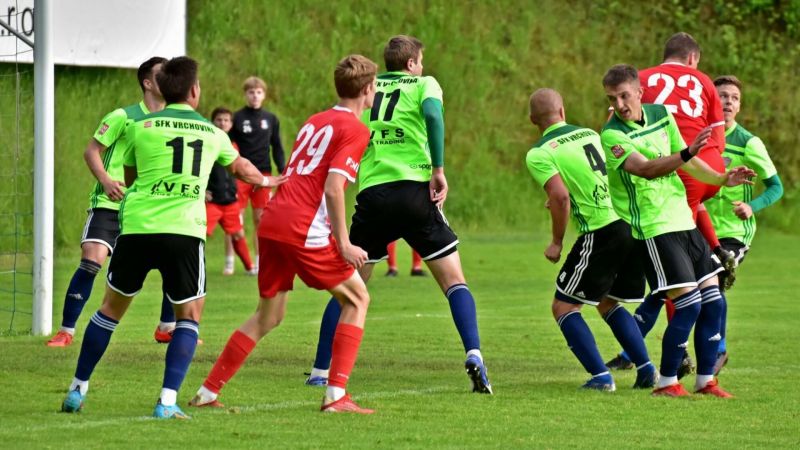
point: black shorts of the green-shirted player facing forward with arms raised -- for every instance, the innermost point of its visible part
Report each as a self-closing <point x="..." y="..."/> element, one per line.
<point x="678" y="259"/>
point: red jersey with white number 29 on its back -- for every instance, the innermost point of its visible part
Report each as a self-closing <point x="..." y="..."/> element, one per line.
<point x="330" y="141"/>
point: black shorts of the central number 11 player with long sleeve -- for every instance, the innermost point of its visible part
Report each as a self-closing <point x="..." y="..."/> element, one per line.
<point x="401" y="209"/>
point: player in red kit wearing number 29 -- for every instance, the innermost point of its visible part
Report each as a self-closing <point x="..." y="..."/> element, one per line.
<point x="295" y="237"/>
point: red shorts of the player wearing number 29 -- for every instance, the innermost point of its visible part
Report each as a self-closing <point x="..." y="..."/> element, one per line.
<point x="319" y="268"/>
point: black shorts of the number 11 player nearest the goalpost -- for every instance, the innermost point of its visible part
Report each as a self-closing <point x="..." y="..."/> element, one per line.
<point x="180" y="259"/>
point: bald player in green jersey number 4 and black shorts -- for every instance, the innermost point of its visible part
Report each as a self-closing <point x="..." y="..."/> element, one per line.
<point x="603" y="267"/>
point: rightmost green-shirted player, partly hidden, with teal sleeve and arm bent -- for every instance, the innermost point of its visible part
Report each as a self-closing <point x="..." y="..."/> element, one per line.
<point x="733" y="209"/>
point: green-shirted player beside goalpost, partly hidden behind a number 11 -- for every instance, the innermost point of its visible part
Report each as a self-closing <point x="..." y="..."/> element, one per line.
<point x="100" y="233"/>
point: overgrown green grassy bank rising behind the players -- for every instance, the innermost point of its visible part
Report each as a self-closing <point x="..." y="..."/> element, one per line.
<point x="488" y="56"/>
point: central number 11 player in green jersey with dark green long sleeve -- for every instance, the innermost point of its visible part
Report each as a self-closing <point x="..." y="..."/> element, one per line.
<point x="402" y="188"/>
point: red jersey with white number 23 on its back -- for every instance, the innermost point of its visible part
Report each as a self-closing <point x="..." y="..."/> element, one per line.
<point x="690" y="96"/>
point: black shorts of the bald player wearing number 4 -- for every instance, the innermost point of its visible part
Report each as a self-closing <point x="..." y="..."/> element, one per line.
<point x="604" y="262"/>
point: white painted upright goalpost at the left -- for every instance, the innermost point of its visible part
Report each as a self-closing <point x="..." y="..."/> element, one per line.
<point x="43" y="172"/>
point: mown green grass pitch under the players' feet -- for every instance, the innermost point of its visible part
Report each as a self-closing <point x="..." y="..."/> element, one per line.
<point x="410" y="369"/>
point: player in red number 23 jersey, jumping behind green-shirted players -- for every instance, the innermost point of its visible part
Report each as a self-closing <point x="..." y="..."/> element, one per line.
<point x="691" y="97"/>
